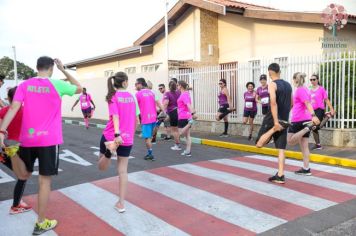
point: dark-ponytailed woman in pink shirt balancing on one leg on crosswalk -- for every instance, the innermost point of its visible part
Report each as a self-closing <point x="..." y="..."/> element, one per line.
<point x="118" y="136"/>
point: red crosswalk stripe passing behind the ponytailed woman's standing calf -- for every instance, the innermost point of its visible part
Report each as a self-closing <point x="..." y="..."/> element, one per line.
<point x="180" y="215"/>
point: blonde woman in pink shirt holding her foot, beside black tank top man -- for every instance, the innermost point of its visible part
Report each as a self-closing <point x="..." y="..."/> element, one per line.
<point x="303" y="120"/>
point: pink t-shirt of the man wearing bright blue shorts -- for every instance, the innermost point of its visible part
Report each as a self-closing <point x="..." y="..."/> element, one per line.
<point x="146" y="100"/>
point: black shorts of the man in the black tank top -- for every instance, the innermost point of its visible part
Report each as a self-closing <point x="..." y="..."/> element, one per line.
<point x="279" y="138"/>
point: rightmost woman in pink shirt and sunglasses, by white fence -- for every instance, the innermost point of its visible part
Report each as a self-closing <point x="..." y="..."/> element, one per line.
<point x="319" y="96"/>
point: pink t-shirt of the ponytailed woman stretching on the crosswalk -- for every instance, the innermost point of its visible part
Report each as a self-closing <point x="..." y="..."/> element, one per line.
<point x="125" y="106"/>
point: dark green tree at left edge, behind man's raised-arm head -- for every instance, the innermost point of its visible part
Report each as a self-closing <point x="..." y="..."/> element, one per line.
<point x="7" y="69"/>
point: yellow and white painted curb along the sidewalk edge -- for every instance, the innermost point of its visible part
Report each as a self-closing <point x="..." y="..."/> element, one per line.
<point x="338" y="161"/>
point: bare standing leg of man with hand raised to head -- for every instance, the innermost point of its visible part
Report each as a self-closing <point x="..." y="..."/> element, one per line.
<point x="43" y="195"/>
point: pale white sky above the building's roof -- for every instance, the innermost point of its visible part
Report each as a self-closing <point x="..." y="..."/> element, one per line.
<point x="75" y="30"/>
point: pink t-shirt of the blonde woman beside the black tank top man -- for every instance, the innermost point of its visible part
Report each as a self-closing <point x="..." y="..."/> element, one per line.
<point x="299" y="110"/>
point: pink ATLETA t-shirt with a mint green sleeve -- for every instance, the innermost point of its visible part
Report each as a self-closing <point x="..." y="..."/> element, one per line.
<point x="42" y="121"/>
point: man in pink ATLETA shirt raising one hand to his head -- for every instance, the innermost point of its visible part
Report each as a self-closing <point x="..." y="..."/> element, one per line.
<point x="41" y="131"/>
